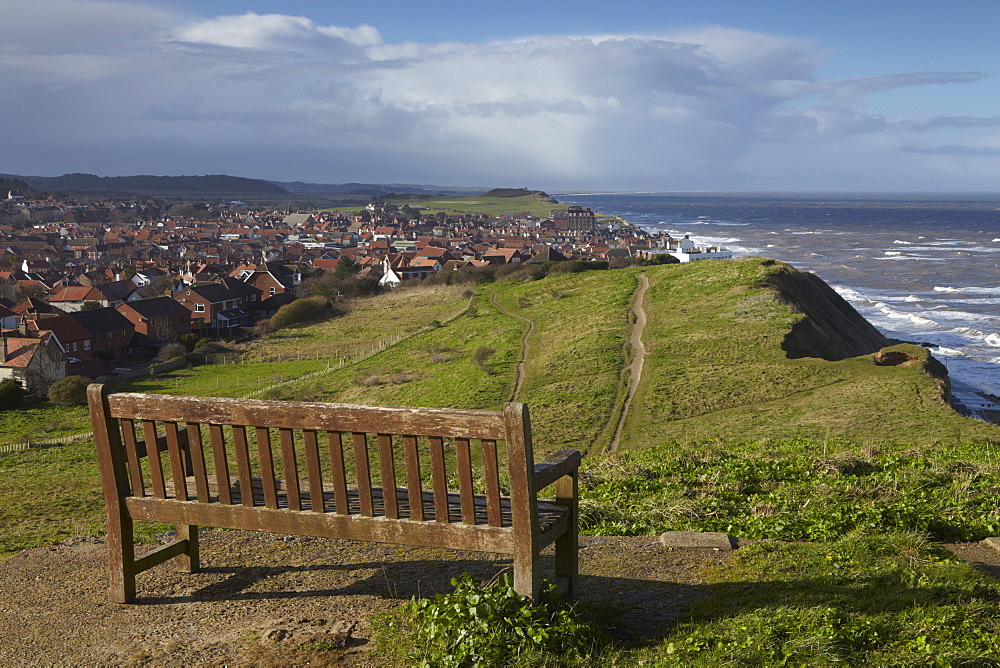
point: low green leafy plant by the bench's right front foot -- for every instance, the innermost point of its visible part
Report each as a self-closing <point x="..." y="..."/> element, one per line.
<point x="484" y="625"/>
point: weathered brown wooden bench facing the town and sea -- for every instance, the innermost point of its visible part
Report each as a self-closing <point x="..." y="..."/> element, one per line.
<point x="416" y="452"/>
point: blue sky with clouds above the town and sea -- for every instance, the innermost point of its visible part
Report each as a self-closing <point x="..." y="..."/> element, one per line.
<point x="675" y="95"/>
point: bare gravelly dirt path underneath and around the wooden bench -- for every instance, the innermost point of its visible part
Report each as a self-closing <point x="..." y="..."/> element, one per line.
<point x="263" y="598"/>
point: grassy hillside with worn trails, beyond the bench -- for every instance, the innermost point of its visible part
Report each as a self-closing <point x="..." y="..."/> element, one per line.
<point x="728" y="356"/>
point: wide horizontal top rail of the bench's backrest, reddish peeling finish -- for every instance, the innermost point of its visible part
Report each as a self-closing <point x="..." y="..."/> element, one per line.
<point x="448" y="422"/>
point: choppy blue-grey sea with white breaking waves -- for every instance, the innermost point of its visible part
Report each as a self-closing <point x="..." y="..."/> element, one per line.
<point x="923" y="268"/>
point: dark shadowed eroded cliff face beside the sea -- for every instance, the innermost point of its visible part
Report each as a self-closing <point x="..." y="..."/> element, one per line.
<point x="831" y="328"/>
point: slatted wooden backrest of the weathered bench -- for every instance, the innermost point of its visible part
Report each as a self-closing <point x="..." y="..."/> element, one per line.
<point x="343" y="446"/>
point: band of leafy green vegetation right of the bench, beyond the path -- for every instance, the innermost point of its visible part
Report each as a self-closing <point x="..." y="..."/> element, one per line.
<point x="795" y="490"/>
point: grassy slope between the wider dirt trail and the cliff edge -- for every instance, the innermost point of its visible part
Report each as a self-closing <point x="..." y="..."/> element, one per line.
<point x="715" y="368"/>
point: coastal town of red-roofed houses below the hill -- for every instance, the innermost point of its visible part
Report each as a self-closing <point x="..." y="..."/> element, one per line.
<point x="99" y="287"/>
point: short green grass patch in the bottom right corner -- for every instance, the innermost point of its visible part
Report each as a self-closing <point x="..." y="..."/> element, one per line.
<point x="863" y="600"/>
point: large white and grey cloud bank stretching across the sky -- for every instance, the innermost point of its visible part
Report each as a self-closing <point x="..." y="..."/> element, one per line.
<point x="284" y="97"/>
